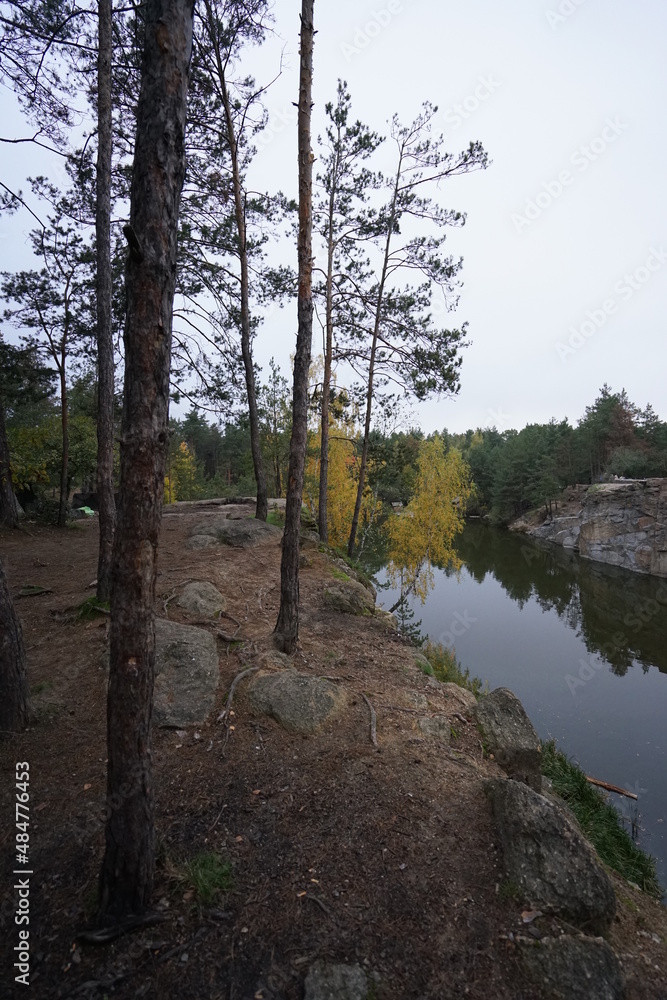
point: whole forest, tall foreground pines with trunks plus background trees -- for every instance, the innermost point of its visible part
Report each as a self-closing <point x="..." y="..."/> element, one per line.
<point x="156" y="254"/>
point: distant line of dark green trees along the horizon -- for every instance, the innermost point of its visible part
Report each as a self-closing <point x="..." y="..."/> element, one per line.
<point x="513" y="471"/>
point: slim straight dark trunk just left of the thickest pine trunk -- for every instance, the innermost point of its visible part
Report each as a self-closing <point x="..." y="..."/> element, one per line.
<point x="105" y="366"/>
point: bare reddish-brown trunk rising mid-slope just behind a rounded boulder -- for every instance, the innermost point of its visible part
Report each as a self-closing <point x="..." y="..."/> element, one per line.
<point x="287" y="626"/>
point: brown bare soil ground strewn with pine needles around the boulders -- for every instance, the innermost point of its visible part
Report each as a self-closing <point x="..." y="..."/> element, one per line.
<point x="385" y="857"/>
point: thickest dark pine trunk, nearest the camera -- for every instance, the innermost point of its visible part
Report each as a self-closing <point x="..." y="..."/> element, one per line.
<point x="159" y="165"/>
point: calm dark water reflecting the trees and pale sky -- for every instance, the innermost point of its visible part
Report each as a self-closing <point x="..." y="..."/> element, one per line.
<point x="583" y="645"/>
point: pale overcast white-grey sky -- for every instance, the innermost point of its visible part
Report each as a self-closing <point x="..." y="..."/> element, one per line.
<point x="565" y="244"/>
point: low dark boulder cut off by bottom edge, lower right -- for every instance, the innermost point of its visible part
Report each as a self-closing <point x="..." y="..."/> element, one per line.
<point x="574" y="968"/>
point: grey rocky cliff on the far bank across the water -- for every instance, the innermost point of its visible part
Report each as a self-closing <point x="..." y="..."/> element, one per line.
<point x="623" y="523"/>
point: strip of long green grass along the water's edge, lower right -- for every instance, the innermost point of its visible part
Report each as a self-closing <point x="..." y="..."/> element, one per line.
<point x="599" y="821"/>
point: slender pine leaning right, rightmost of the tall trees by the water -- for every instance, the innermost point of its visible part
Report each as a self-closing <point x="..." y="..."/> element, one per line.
<point x="401" y="344"/>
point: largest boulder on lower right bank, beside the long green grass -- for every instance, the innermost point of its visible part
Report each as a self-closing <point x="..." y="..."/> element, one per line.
<point x="549" y="859"/>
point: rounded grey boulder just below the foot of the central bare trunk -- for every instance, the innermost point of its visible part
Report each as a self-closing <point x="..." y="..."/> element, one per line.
<point x="300" y="703"/>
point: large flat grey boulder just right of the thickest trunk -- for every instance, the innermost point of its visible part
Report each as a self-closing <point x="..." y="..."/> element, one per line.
<point x="186" y="674"/>
